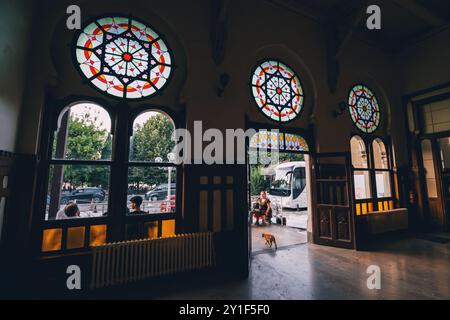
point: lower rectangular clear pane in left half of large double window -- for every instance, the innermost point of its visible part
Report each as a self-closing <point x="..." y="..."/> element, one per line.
<point x="77" y="191"/>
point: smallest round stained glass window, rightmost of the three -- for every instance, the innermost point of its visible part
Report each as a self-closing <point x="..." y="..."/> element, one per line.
<point x="364" y="108"/>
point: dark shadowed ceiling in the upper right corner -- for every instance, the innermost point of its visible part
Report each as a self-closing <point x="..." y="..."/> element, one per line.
<point x="402" y="21"/>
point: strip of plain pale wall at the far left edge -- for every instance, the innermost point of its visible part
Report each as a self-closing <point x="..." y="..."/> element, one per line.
<point x="14" y="26"/>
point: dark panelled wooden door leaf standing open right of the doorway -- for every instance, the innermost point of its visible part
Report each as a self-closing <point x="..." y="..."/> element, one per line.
<point x="333" y="219"/>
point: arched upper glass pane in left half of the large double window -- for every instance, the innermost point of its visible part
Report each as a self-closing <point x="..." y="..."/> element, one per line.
<point x="83" y="134"/>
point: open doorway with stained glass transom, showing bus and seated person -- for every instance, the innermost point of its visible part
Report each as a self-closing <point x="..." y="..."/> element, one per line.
<point x="279" y="193"/>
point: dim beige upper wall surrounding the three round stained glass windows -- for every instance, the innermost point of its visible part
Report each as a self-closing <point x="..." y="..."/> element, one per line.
<point x="288" y="36"/>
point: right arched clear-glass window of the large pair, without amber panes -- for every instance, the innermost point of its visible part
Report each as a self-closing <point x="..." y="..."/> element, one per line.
<point x="151" y="172"/>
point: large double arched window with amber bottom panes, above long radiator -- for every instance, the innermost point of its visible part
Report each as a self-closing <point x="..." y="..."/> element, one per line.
<point x="83" y="159"/>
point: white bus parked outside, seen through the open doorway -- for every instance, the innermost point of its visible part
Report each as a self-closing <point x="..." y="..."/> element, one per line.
<point x="288" y="186"/>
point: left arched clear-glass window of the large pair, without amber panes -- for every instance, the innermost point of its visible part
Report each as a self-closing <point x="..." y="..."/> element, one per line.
<point x="80" y="168"/>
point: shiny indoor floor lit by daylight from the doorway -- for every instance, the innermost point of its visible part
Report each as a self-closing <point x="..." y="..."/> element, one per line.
<point x="410" y="269"/>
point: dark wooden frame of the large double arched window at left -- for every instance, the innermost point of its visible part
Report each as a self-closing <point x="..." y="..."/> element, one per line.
<point x="122" y="118"/>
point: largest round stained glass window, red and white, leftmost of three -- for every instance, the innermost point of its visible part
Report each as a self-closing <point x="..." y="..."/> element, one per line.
<point x="123" y="57"/>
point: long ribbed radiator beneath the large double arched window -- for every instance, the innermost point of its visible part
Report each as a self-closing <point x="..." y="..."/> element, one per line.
<point x="128" y="261"/>
